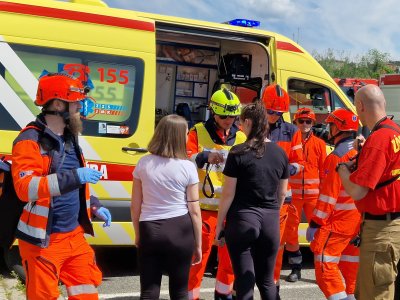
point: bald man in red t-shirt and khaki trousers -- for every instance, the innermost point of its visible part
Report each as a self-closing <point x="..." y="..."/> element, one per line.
<point x="375" y="186"/>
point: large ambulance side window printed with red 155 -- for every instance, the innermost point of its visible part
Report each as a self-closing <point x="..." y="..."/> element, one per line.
<point x="113" y="104"/>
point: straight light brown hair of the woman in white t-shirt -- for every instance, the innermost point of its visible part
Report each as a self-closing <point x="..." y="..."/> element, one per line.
<point x="169" y="139"/>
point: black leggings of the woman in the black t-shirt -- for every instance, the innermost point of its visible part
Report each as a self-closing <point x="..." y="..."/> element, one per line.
<point x="252" y="237"/>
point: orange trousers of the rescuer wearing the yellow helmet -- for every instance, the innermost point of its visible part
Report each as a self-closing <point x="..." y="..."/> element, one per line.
<point x="225" y="277"/>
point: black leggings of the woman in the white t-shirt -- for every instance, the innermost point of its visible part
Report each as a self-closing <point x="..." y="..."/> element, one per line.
<point x="168" y="245"/>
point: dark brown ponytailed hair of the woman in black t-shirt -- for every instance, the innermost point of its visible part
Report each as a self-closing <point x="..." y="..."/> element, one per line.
<point x="259" y="131"/>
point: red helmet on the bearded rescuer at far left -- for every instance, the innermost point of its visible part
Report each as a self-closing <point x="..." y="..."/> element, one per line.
<point x="59" y="86"/>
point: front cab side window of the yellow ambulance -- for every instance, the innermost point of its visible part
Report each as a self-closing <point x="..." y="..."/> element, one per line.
<point x="309" y="94"/>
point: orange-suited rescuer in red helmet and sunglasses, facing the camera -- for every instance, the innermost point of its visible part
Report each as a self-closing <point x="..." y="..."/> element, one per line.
<point x="305" y="186"/>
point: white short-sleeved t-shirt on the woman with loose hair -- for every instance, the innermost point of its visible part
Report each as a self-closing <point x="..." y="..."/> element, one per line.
<point x="164" y="182"/>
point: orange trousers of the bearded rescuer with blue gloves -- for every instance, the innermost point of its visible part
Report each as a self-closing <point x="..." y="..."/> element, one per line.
<point x="69" y="259"/>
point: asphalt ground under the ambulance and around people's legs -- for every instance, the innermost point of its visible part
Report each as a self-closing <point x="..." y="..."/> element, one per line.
<point x="121" y="279"/>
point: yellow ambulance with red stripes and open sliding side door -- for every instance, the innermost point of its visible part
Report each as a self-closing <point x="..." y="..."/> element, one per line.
<point x="141" y="66"/>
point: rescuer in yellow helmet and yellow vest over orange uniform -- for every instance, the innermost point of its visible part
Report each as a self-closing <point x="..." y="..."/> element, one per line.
<point x="208" y="146"/>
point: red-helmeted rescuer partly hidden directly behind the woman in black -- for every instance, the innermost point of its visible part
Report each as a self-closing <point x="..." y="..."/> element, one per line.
<point x="287" y="136"/>
